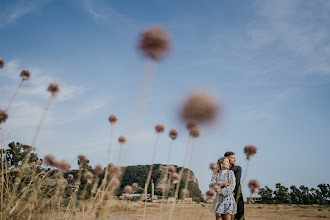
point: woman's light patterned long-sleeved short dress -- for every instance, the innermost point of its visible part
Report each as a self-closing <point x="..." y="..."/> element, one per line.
<point x="225" y="202"/>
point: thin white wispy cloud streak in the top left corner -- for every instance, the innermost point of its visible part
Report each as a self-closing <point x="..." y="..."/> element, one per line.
<point x="15" y="10"/>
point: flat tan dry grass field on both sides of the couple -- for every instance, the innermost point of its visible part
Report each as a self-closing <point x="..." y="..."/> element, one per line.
<point x="134" y="211"/>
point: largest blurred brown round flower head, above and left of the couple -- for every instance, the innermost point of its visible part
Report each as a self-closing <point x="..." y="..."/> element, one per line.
<point x="199" y="107"/>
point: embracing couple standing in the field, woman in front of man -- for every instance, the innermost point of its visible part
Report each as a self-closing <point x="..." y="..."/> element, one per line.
<point x="227" y="184"/>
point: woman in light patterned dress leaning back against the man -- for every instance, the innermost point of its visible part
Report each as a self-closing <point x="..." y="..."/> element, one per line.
<point x="224" y="204"/>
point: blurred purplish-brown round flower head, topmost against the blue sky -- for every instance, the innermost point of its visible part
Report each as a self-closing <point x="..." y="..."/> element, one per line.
<point x="154" y="43"/>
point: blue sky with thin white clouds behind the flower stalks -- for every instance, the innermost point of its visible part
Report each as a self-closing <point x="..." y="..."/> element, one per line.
<point x="266" y="62"/>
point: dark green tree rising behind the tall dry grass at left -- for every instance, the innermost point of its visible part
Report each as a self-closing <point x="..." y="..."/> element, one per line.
<point x="17" y="153"/>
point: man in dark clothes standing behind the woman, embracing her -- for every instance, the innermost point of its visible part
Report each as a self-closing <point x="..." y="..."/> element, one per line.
<point x="238" y="189"/>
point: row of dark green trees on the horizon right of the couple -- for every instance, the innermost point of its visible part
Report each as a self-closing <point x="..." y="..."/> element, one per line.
<point x="295" y="195"/>
